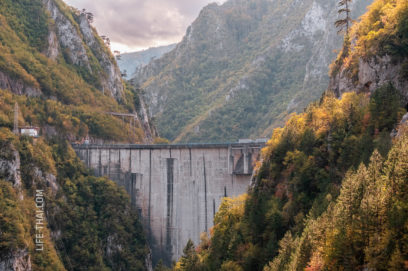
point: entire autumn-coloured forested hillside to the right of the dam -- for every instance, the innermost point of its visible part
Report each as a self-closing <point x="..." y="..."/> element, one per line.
<point x="331" y="191"/>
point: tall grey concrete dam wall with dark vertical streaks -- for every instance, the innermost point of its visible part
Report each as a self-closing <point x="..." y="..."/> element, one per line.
<point x="176" y="189"/>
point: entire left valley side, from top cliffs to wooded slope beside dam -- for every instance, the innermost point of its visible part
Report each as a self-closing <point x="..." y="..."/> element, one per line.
<point x="64" y="80"/>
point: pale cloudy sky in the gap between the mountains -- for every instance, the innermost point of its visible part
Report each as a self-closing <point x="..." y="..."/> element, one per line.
<point x="133" y="25"/>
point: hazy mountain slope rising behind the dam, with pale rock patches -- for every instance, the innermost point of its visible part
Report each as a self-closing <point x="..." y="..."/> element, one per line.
<point x="242" y="67"/>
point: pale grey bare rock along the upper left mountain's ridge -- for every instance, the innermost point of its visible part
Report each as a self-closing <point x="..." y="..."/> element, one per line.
<point x="78" y="46"/>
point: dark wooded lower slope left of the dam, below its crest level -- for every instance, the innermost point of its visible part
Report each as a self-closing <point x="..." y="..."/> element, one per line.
<point x="88" y="222"/>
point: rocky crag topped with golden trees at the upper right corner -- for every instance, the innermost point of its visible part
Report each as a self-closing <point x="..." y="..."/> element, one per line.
<point x="377" y="53"/>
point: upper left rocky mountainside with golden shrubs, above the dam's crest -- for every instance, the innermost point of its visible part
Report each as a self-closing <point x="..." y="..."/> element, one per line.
<point x="51" y="53"/>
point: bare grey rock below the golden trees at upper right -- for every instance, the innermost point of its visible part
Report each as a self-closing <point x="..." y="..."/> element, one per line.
<point x="372" y="73"/>
